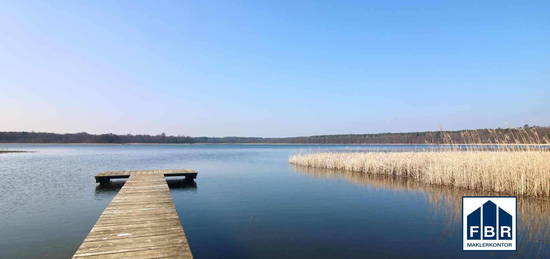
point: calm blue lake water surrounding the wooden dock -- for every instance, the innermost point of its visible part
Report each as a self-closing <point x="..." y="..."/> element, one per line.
<point x="246" y="203"/>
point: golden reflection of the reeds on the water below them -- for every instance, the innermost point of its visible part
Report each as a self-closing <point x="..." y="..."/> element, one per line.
<point x="533" y="214"/>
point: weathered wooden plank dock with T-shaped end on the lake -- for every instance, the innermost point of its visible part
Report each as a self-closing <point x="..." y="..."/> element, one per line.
<point x="141" y="220"/>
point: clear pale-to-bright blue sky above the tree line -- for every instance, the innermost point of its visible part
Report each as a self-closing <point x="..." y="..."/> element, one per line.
<point x="273" y="68"/>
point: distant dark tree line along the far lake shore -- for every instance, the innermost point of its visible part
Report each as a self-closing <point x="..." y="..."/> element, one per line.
<point x="525" y="134"/>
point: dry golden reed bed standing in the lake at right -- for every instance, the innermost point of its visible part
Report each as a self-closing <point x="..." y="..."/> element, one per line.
<point x="506" y="166"/>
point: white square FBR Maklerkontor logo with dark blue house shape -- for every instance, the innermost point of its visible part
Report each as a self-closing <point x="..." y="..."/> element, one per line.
<point x="488" y="223"/>
